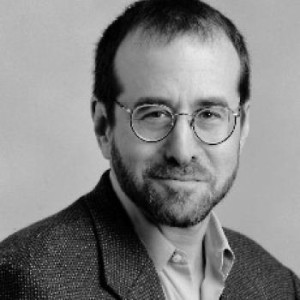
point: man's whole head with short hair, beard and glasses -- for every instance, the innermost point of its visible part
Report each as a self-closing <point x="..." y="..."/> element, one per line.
<point x="183" y="55"/>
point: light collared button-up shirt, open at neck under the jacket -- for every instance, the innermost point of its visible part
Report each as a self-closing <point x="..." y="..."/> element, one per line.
<point x="172" y="264"/>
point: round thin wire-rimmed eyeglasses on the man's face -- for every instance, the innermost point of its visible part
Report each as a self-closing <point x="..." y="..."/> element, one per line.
<point x="212" y="124"/>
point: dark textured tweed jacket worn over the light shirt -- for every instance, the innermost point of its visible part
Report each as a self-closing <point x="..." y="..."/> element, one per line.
<point x="90" y="251"/>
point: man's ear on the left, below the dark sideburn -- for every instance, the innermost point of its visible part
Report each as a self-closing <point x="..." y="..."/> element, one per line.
<point x="102" y="127"/>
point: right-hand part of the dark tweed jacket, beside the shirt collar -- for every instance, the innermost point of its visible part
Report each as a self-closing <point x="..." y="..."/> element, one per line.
<point x="256" y="270"/>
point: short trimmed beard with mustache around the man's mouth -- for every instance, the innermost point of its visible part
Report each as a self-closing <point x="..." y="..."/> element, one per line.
<point x="175" y="207"/>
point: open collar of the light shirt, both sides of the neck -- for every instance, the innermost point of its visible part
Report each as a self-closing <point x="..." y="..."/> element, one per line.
<point x="219" y="256"/>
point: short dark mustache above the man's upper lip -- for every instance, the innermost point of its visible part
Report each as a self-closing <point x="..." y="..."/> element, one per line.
<point x="188" y="172"/>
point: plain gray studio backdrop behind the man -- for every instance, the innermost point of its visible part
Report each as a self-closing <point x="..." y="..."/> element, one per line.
<point x="48" y="153"/>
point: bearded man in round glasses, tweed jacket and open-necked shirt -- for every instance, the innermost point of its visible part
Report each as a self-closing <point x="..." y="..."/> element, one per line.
<point x="171" y="114"/>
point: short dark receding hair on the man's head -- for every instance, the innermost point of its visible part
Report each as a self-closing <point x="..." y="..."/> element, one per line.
<point x="166" y="18"/>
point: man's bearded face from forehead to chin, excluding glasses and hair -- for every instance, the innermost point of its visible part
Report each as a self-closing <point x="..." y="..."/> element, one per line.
<point x="178" y="180"/>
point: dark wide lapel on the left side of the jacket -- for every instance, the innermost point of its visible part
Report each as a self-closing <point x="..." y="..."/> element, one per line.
<point x="126" y="267"/>
